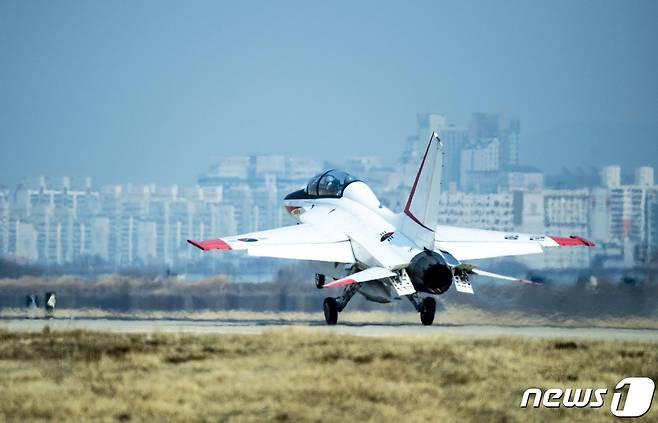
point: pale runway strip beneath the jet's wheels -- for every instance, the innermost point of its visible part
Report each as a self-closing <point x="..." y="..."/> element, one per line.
<point x="357" y="329"/>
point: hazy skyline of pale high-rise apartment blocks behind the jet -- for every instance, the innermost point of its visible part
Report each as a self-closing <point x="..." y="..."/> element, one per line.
<point x="61" y="222"/>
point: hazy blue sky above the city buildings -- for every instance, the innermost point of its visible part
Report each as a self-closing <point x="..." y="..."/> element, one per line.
<point x="150" y="91"/>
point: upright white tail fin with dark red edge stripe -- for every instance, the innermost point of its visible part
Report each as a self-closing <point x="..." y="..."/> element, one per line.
<point x="421" y="213"/>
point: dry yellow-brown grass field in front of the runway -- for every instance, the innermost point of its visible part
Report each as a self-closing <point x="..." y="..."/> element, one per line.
<point x="302" y="375"/>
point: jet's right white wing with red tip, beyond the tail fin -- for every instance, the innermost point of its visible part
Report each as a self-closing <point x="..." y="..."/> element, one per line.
<point x="471" y="244"/>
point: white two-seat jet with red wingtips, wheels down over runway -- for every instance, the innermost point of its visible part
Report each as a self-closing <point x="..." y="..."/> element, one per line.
<point x="364" y="247"/>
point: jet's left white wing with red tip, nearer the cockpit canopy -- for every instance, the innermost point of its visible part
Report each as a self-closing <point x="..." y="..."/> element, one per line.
<point x="302" y="242"/>
